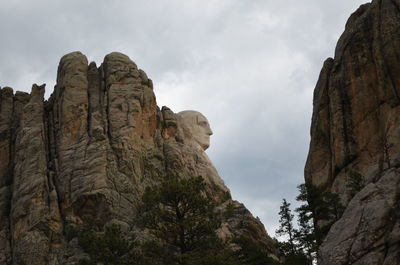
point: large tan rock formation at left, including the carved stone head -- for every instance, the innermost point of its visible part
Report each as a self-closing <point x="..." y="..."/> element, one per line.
<point x="89" y="152"/>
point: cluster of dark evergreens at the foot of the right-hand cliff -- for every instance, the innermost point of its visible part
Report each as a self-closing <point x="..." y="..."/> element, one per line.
<point x="318" y="211"/>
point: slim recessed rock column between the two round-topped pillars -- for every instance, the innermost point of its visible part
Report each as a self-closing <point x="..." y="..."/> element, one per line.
<point x="90" y="191"/>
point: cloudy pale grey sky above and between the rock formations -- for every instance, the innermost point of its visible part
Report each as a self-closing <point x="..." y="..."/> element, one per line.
<point x="250" y="66"/>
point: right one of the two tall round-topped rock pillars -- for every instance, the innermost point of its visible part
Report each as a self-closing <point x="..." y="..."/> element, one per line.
<point x="125" y="99"/>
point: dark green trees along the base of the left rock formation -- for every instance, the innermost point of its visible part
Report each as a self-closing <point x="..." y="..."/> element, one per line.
<point x="180" y="224"/>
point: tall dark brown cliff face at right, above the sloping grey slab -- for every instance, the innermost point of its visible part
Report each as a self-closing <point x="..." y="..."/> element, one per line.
<point x="356" y="100"/>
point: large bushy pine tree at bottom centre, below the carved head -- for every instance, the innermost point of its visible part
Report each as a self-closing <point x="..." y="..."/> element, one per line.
<point x="183" y="221"/>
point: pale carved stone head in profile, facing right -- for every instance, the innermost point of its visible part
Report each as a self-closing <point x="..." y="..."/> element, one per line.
<point x="196" y="127"/>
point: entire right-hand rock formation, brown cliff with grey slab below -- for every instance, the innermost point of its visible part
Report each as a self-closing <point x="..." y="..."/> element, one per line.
<point x="356" y="128"/>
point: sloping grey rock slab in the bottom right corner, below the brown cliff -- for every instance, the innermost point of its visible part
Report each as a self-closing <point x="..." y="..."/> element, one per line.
<point x="368" y="231"/>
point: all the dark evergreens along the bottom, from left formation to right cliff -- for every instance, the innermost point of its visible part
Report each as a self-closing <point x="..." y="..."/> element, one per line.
<point x="181" y="223"/>
